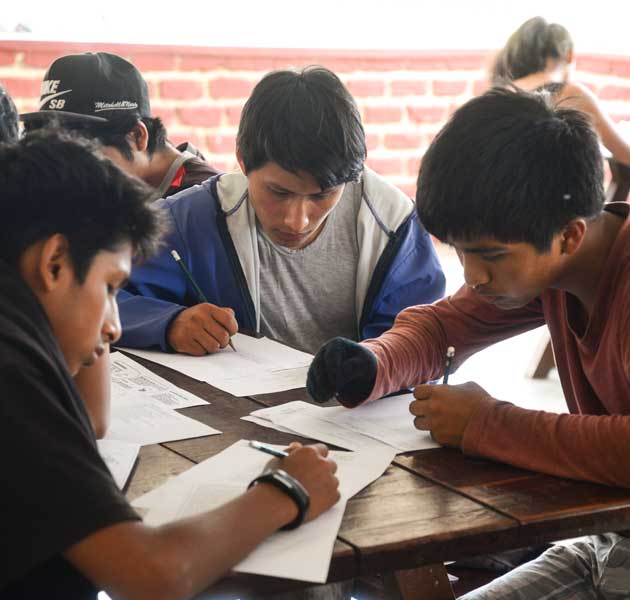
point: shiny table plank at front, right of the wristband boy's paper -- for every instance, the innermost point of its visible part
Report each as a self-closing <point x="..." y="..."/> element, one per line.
<point x="403" y="521"/>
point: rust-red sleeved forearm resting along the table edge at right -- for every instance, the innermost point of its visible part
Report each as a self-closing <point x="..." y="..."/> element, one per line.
<point x="585" y="447"/>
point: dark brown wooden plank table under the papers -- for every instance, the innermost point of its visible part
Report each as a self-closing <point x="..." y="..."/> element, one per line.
<point x="428" y="507"/>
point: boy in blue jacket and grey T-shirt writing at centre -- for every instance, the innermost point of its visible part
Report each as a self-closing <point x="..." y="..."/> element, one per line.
<point x="304" y="244"/>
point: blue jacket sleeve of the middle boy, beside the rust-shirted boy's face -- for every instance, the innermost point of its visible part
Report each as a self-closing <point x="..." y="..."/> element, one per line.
<point x="414" y="276"/>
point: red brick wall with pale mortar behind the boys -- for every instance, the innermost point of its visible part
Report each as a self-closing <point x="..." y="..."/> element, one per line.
<point x="404" y="96"/>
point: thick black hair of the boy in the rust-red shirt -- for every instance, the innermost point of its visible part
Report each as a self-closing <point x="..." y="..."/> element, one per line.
<point x="512" y="166"/>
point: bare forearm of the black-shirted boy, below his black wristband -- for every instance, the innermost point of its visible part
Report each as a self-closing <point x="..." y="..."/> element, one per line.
<point x="182" y="558"/>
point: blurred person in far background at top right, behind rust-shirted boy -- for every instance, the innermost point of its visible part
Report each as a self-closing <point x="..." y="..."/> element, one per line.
<point x="539" y="56"/>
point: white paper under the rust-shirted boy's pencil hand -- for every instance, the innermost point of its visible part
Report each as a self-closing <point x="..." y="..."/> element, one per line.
<point x="384" y="422"/>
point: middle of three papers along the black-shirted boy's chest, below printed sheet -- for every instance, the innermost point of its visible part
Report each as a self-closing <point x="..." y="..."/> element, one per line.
<point x="149" y="422"/>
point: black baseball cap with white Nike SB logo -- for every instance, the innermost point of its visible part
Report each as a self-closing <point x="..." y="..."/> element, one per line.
<point x="94" y="86"/>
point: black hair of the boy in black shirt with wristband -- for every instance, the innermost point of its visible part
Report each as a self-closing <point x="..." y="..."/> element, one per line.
<point x="54" y="183"/>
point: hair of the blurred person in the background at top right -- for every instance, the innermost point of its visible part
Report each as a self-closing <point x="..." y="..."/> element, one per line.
<point x="528" y="49"/>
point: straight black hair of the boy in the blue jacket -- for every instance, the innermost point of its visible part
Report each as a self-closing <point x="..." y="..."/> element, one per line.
<point x="303" y="121"/>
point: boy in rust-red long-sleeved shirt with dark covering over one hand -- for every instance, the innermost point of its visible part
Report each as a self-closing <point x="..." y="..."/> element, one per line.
<point x="514" y="184"/>
